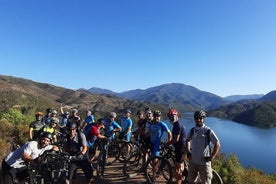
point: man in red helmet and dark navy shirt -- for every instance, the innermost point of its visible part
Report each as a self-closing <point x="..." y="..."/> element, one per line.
<point x="178" y="140"/>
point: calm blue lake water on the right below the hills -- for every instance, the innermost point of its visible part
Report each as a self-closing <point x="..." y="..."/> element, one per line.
<point x="255" y="147"/>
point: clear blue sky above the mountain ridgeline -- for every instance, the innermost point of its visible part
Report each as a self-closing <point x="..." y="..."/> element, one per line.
<point x="225" y="47"/>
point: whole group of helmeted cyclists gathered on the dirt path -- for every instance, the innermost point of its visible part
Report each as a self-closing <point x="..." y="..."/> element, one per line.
<point x="81" y="138"/>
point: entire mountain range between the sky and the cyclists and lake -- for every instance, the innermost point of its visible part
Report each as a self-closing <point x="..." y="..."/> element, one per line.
<point x="19" y="92"/>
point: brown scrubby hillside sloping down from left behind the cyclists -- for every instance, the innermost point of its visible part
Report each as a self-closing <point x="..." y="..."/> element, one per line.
<point x="34" y="96"/>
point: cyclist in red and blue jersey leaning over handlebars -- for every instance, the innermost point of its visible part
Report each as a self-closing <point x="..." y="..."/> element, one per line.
<point x="93" y="136"/>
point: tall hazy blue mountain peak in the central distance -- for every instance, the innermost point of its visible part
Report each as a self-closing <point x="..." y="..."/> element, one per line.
<point x="183" y="97"/>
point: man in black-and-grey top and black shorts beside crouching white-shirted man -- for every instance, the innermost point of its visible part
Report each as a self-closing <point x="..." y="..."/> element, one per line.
<point x="76" y="146"/>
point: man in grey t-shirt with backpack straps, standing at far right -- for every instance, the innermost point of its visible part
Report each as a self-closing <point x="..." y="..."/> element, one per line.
<point x="200" y="156"/>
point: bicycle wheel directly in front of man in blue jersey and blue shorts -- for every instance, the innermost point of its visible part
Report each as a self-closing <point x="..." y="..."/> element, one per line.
<point x="158" y="170"/>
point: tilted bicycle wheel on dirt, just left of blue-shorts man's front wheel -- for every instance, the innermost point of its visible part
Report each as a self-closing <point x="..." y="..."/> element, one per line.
<point x="133" y="165"/>
